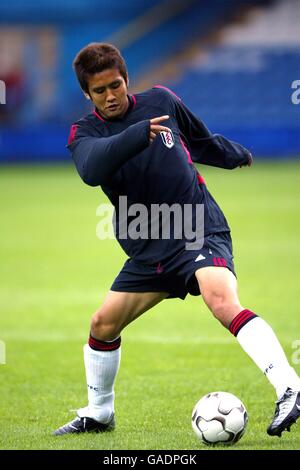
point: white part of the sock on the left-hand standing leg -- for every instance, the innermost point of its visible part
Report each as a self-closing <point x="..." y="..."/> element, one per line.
<point x="101" y="368"/>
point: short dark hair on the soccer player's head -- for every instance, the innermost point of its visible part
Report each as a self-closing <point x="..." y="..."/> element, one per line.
<point x="96" y="57"/>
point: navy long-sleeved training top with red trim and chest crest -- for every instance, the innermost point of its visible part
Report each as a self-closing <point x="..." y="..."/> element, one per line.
<point x="117" y="155"/>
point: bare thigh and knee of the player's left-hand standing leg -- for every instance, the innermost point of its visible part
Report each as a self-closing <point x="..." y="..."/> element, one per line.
<point x="121" y="308"/>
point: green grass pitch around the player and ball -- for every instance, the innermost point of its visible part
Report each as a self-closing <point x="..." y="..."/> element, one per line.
<point x="54" y="273"/>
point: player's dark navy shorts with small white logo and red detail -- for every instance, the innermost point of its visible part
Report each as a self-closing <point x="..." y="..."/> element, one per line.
<point x="177" y="275"/>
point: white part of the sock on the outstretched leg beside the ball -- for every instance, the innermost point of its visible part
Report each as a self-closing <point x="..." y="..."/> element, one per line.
<point x="260" y="342"/>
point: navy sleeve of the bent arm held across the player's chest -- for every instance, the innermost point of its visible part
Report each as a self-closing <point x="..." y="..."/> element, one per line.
<point x="98" y="158"/>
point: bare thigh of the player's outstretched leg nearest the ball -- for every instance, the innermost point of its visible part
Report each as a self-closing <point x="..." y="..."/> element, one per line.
<point x="217" y="286"/>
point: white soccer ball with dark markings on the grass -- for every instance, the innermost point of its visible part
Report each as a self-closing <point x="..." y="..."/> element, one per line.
<point x="219" y="417"/>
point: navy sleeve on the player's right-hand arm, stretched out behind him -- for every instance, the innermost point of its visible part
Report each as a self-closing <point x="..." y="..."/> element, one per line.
<point x="205" y="147"/>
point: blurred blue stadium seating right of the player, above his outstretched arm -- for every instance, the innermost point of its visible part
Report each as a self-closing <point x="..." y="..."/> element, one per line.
<point x="246" y="92"/>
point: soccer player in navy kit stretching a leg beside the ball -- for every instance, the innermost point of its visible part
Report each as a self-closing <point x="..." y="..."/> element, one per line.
<point x="143" y="147"/>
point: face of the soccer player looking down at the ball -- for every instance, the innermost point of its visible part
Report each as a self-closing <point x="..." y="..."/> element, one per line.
<point x="108" y="92"/>
